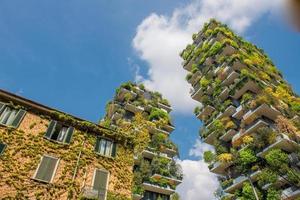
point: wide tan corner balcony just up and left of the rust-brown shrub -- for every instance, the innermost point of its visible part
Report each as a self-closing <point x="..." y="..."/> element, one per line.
<point x="263" y="110"/>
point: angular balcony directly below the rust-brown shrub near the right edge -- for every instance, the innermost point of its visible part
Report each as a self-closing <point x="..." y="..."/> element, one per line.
<point x="282" y="142"/>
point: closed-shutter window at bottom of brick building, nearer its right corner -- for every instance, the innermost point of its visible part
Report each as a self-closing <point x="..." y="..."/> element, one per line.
<point x="100" y="182"/>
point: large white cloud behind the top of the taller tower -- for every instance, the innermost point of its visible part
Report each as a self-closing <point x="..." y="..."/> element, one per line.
<point x="159" y="40"/>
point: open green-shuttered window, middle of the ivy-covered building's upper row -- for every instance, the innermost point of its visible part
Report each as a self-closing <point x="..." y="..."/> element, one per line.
<point x="59" y="133"/>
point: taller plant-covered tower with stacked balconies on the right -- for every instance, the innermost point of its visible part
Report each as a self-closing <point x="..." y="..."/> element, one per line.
<point x="250" y="115"/>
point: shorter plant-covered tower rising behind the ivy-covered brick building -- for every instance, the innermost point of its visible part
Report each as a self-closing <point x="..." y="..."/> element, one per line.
<point x="156" y="173"/>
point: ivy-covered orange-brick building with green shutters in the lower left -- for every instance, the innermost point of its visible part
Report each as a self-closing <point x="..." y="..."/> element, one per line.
<point x="48" y="154"/>
